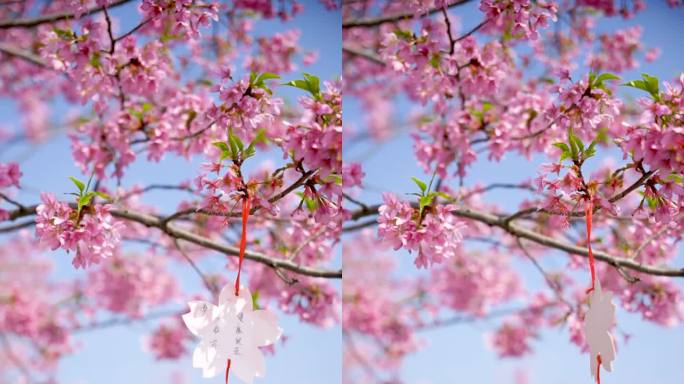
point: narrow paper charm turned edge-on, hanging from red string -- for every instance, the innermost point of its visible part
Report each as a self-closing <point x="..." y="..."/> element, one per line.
<point x="597" y="325"/>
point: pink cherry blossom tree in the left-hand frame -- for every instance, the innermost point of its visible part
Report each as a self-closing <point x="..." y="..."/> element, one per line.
<point x="159" y="82"/>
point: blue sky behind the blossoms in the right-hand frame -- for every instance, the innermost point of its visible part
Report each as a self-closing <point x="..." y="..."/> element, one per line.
<point x="459" y="354"/>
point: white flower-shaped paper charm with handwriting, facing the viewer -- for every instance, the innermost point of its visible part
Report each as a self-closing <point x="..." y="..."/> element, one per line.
<point x="232" y="330"/>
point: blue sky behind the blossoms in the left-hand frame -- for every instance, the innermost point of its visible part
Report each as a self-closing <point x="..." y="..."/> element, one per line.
<point x="310" y="356"/>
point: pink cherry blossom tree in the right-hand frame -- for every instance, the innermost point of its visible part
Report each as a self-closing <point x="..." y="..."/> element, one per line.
<point x="473" y="82"/>
